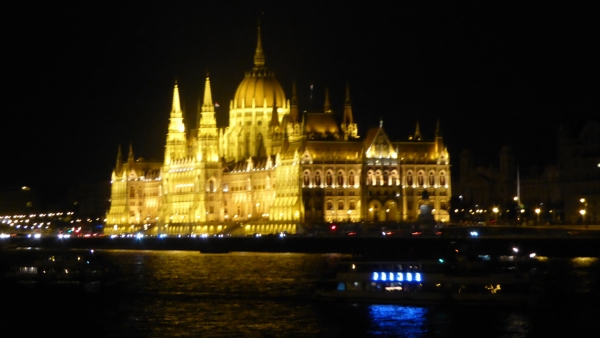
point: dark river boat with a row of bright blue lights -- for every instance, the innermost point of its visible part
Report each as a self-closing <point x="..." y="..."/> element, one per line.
<point x="467" y="282"/>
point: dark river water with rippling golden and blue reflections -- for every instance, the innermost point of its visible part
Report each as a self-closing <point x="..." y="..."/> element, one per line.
<point x="188" y="294"/>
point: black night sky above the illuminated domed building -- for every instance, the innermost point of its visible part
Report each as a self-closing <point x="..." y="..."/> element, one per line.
<point x="82" y="78"/>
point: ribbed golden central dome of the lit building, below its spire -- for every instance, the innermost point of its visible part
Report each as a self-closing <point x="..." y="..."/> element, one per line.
<point x="260" y="85"/>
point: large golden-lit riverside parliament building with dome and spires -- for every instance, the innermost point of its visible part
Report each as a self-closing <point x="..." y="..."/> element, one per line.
<point x="275" y="169"/>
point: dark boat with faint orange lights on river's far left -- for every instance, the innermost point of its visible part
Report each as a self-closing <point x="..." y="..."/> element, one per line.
<point x="52" y="270"/>
